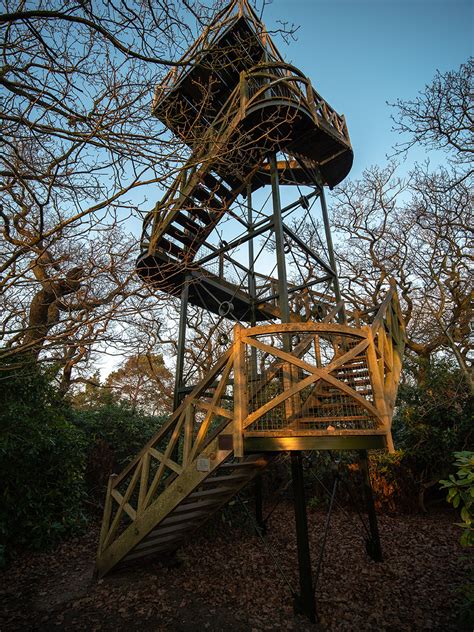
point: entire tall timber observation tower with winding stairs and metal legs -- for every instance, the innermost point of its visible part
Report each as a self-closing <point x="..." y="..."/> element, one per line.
<point x="296" y="371"/>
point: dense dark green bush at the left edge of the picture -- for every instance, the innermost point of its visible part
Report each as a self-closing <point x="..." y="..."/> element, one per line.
<point x="42" y="457"/>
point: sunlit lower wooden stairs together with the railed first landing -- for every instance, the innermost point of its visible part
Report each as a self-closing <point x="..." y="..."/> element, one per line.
<point x="339" y="382"/>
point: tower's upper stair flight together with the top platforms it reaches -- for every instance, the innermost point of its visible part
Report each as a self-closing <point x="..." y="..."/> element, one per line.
<point x="265" y="106"/>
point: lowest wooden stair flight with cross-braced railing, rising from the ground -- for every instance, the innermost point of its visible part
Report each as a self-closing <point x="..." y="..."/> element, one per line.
<point x="181" y="477"/>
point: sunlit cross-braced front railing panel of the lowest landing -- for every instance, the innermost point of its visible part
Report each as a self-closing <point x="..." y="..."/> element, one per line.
<point x="309" y="376"/>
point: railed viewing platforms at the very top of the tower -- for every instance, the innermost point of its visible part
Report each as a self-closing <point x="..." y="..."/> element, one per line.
<point x="235" y="91"/>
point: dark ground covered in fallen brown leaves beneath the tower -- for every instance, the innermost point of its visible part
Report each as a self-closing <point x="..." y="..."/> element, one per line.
<point x="226" y="579"/>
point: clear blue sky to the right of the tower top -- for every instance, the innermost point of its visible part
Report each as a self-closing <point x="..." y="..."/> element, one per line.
<point x="359" y="54"/>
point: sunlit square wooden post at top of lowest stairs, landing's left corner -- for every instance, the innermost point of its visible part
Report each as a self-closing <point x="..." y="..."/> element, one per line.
<point x="240" y="392"/>
